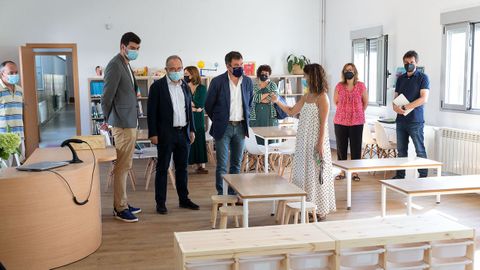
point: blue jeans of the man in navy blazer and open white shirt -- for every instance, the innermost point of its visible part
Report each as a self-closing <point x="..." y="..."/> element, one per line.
<point x="233" y="141"/>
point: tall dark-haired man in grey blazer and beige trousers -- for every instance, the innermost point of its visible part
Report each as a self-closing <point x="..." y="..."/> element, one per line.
<point x="119" y="105"/>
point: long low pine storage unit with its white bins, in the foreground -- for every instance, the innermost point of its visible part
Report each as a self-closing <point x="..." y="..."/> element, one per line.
<point x="411" y="242"/>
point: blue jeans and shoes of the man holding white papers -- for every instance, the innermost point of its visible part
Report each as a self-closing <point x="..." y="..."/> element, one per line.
<point x="414" y="131"/>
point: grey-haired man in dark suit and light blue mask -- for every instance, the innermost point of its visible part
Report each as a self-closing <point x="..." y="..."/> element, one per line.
<point x="171" y="128"/>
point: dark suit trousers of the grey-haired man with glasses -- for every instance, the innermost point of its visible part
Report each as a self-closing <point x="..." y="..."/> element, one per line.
<point x="179" y="146"/>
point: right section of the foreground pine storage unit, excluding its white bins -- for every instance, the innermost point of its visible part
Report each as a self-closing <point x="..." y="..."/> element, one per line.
<point x="384" y="232"/>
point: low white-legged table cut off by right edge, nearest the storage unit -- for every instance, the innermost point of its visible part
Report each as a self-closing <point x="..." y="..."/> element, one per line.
<point x="429" y="186"/>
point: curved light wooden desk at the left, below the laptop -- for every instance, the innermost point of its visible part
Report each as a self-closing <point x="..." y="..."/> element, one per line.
<point x="41" y="227"/>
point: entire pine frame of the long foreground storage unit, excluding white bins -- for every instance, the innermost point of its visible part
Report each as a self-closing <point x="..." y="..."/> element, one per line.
<point x="336" y="237"/>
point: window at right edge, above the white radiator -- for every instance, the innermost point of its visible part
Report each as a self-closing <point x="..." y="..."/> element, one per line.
<point x="461" y="67"/>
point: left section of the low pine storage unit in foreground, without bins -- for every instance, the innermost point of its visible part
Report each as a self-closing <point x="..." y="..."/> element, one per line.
<point x="244" y="242"/>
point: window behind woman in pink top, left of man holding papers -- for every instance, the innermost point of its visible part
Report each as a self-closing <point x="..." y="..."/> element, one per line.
<point x="370" y="58"/>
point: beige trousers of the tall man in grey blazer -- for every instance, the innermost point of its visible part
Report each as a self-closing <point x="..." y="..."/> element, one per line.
<point x="125" y="145"/>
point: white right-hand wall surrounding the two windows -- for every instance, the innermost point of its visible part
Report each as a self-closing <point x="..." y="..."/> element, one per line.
<point x="410" y="25"/>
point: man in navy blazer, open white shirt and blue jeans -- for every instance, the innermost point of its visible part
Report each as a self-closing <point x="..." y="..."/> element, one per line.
<point x="229" y="99"/>
